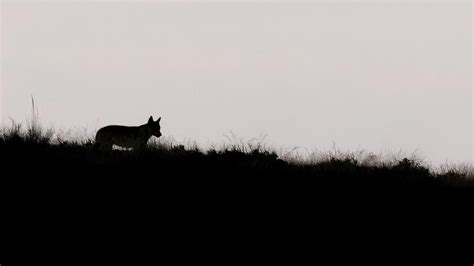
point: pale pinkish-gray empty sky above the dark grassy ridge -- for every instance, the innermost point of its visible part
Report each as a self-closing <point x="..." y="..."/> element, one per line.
<point x="378" y="76"/>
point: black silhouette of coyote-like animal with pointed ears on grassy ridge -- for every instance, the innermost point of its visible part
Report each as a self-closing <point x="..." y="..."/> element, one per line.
<point x="127" y="137"/>
